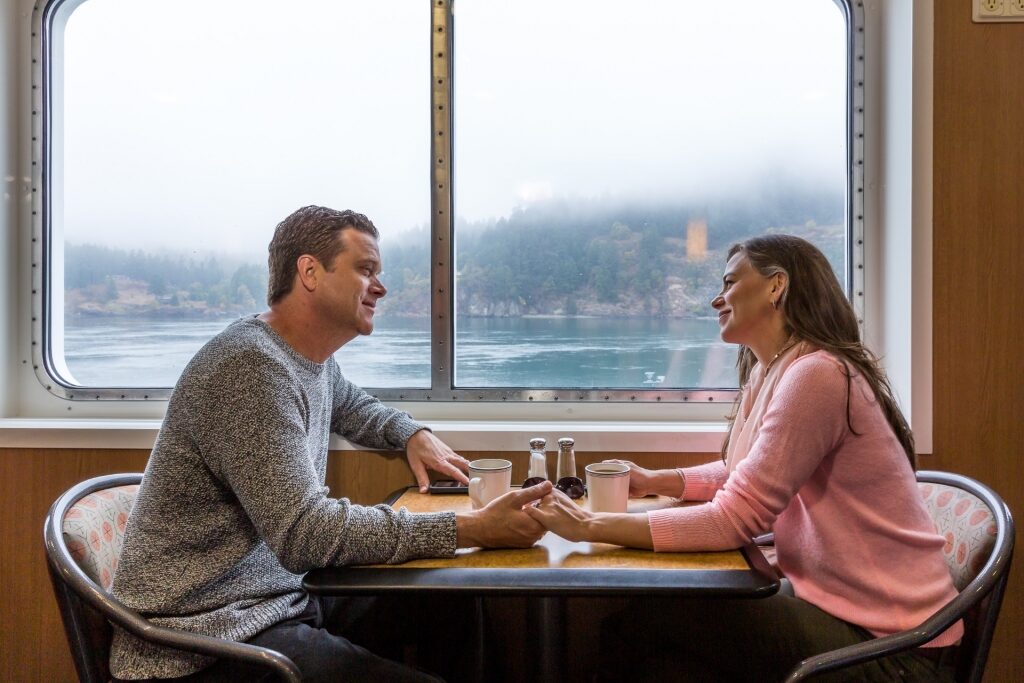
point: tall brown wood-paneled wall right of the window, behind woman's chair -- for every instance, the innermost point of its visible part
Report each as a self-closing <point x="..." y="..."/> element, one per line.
<point x="979" y="280"/>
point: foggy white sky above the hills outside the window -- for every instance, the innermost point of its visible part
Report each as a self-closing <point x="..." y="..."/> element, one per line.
<point x="200" y="124"/>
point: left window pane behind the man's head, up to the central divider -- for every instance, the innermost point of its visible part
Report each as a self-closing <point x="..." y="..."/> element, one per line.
<point x="184" y="132"/>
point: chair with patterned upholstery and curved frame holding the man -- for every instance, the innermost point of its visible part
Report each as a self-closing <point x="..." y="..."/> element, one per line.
<point x="83" y="534"/>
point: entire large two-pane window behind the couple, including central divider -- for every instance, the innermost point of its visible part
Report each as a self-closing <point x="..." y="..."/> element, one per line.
<point x="588" y="168"/>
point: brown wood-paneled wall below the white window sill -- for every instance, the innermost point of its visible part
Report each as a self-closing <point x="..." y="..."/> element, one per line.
<point x="32" y="641"/>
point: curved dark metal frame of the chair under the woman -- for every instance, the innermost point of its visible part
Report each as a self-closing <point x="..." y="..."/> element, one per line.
<point x="978" y="605"/>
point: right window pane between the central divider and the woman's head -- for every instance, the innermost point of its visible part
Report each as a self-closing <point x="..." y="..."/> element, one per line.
<point x="605" y="166"/>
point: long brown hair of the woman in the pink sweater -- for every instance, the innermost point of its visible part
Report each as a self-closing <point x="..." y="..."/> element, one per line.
<point x="818" y="312"/>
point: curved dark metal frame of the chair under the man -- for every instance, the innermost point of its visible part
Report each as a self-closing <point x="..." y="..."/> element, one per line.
<point x="86" y="607"/>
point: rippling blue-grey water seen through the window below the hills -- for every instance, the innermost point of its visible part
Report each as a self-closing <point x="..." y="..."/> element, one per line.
<point x="491" y="353"/>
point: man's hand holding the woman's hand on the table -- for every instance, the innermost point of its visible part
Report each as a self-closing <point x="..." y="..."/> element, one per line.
<point x="503" y="523"/>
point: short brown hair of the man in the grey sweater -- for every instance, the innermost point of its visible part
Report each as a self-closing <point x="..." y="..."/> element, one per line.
<point x="314" y="231"/>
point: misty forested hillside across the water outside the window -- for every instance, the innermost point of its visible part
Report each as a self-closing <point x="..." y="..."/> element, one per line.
<point x="556" y="259"/>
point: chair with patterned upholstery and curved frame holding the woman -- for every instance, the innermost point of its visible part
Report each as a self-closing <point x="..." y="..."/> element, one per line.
<point x="979" y="533"/>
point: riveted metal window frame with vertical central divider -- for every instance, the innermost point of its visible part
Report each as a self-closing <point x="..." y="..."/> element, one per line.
<point x="48" y="273"/>
